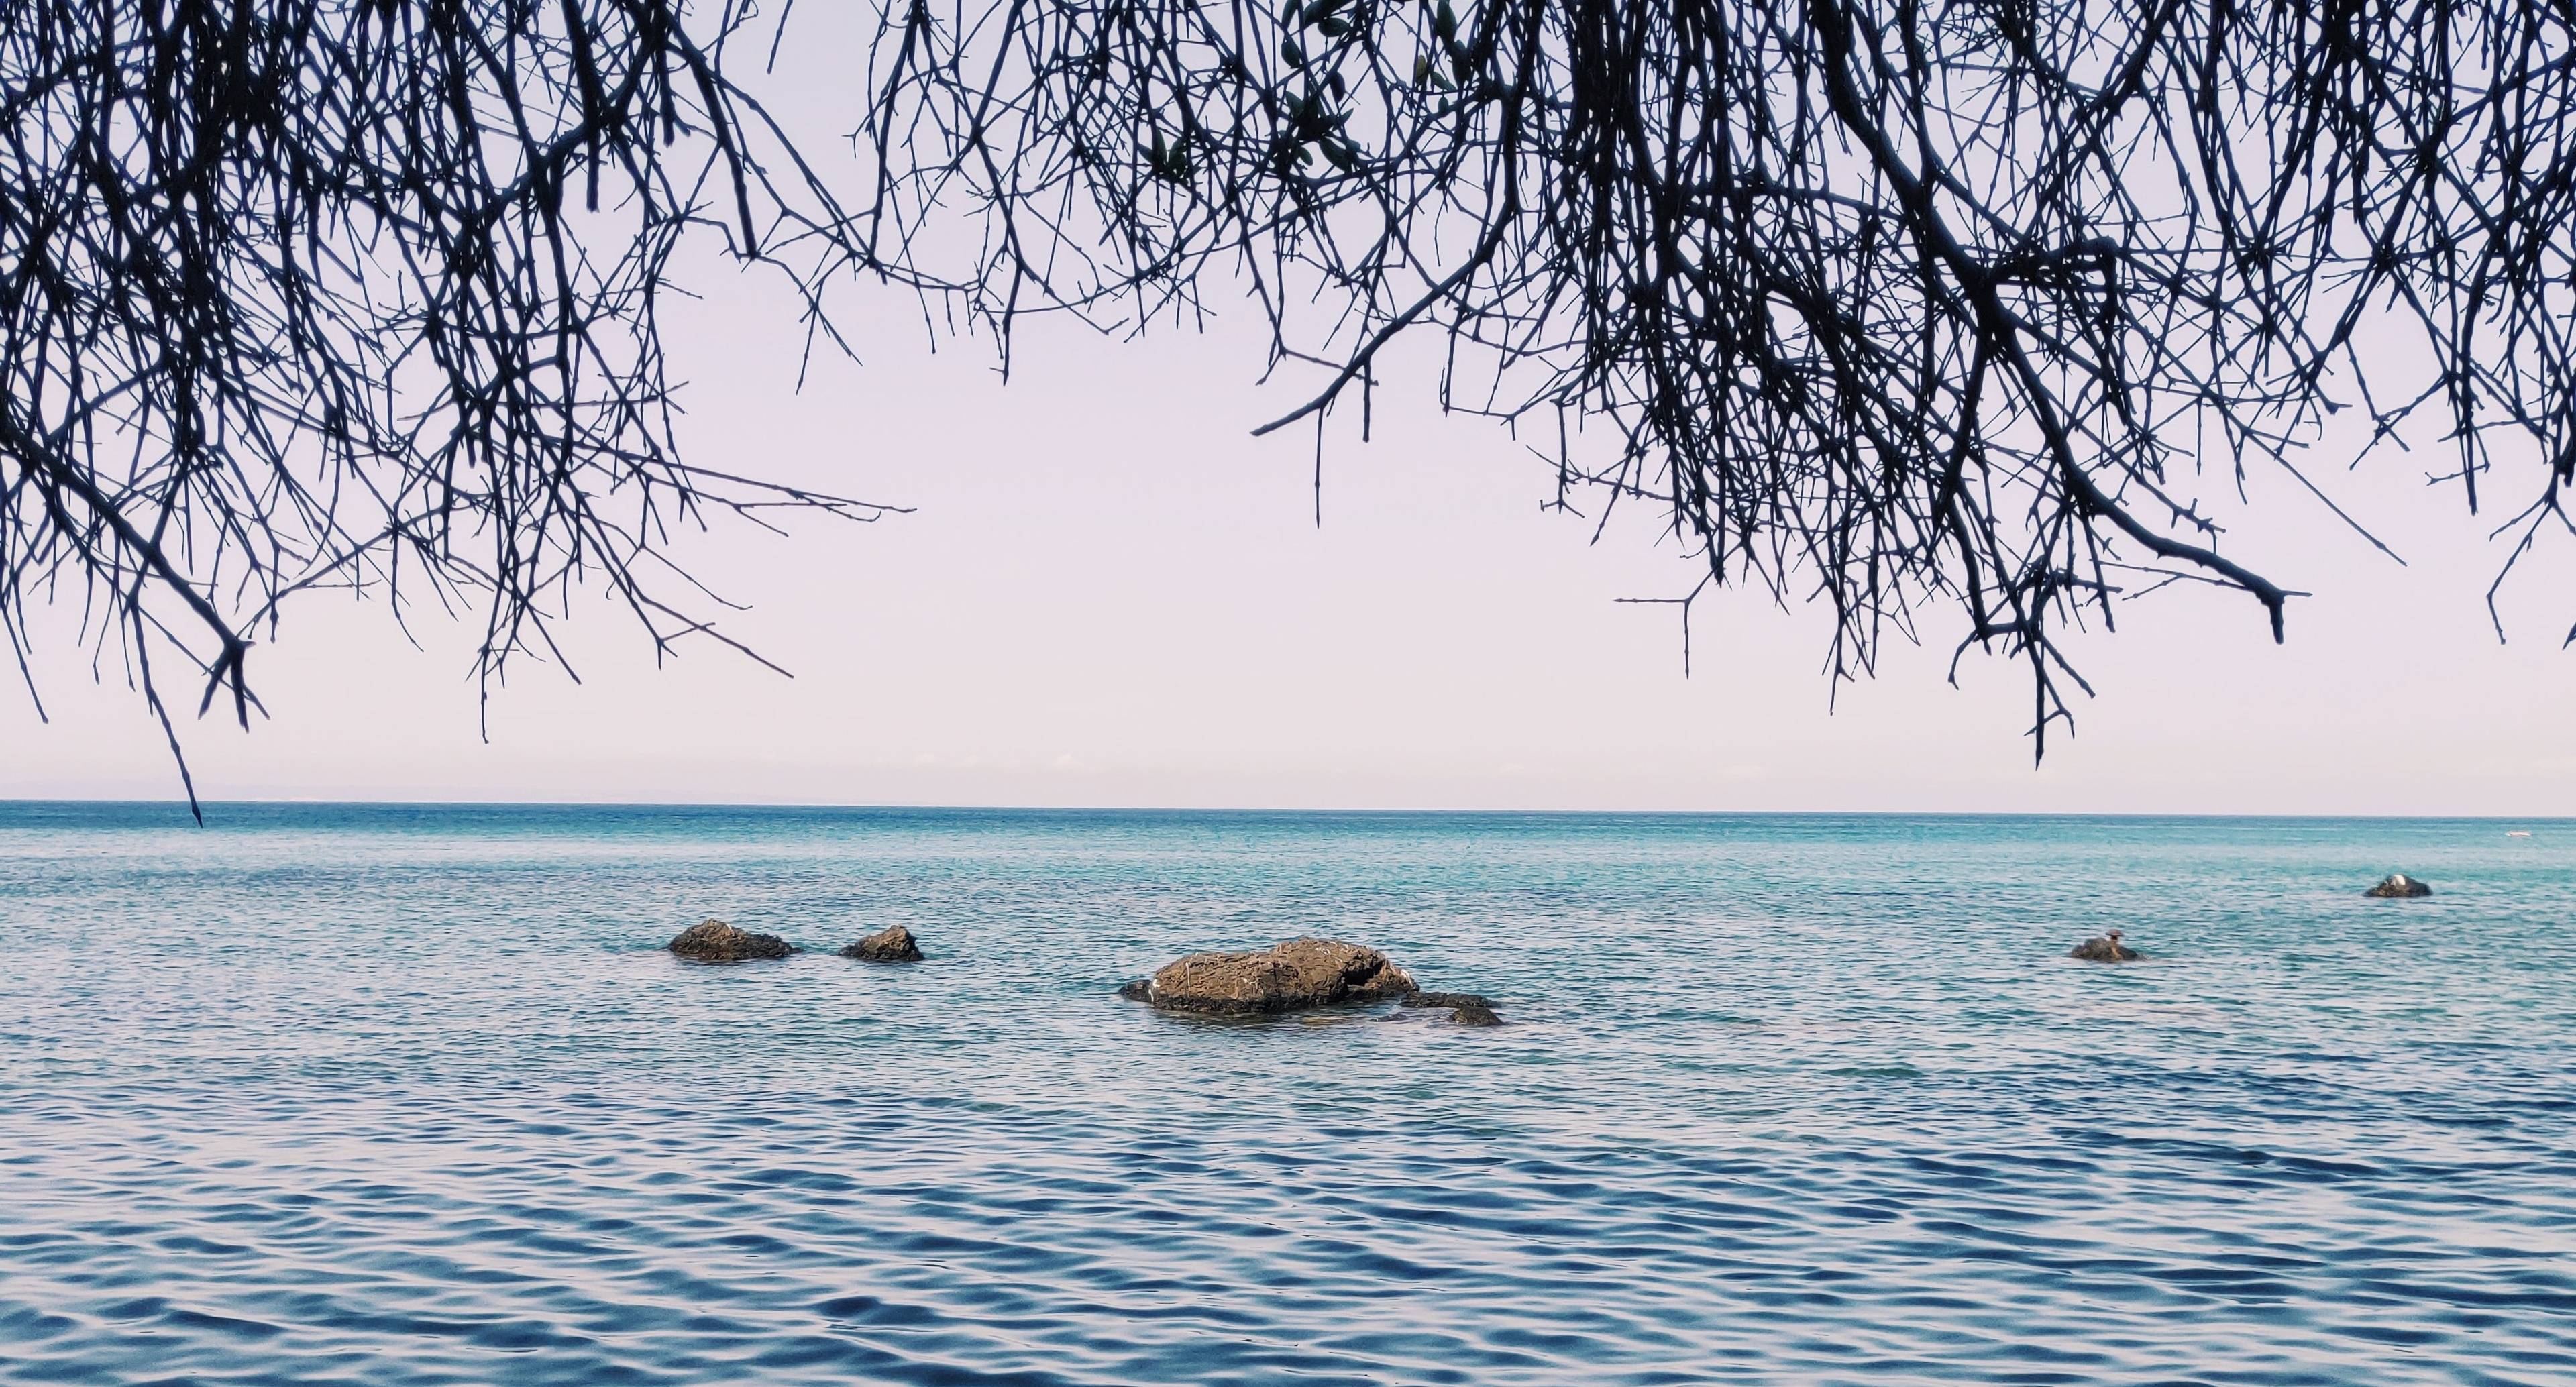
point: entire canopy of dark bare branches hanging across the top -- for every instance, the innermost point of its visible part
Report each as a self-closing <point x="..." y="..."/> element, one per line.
<point x="1928" y="313"/>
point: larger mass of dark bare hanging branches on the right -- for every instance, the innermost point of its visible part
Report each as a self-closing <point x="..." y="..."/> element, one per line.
<point x="1884" y="302"/>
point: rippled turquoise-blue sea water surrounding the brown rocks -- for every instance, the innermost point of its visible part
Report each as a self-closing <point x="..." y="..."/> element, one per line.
<point x="408" y="1095"/>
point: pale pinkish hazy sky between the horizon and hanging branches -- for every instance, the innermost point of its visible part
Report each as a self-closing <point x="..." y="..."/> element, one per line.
<point x="1112" y="596"/>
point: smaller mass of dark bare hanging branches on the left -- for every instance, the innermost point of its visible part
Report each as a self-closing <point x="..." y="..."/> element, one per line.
<point x="365" y="295"/>
